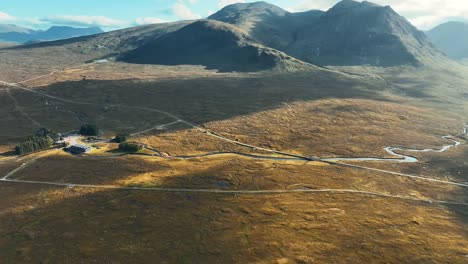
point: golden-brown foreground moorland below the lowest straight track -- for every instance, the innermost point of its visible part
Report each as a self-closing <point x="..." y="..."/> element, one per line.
<point x="75" y="225"/>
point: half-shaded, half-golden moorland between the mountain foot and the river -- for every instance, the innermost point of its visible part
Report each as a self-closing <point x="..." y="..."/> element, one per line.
<point x="315" y="115"/>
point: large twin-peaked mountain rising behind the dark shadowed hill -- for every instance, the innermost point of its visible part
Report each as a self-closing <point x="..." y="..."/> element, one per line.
<point x="350" y="33"/>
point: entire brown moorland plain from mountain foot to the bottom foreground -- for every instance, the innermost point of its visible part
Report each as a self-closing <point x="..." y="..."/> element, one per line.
<point x="311" y="114"/>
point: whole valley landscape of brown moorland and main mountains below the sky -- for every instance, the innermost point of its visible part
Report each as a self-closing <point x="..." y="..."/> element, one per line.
<point x="248" y="150"/>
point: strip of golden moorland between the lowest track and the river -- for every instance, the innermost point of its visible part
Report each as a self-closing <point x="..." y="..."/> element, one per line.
<point x="225" y="173"/>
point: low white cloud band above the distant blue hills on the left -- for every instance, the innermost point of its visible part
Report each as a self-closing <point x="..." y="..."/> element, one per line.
<point x="84" y="21"/>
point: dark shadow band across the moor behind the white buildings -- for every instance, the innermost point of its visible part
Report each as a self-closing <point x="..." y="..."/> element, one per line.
<point x="197" y="100"/>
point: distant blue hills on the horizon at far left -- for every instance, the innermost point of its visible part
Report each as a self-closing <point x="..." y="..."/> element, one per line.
<point x="13" y="33"/>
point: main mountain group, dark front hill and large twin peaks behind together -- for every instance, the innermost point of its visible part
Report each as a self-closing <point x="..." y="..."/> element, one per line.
<point x="261" y="36"/>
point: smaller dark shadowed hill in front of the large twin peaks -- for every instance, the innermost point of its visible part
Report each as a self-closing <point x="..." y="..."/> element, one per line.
<point x="214" y="44"/>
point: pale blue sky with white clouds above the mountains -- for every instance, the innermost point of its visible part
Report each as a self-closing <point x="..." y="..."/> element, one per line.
<point x="115" y="14"/>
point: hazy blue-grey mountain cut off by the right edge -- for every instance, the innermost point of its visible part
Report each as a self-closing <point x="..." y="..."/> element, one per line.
<point x="452" y="39"/>
